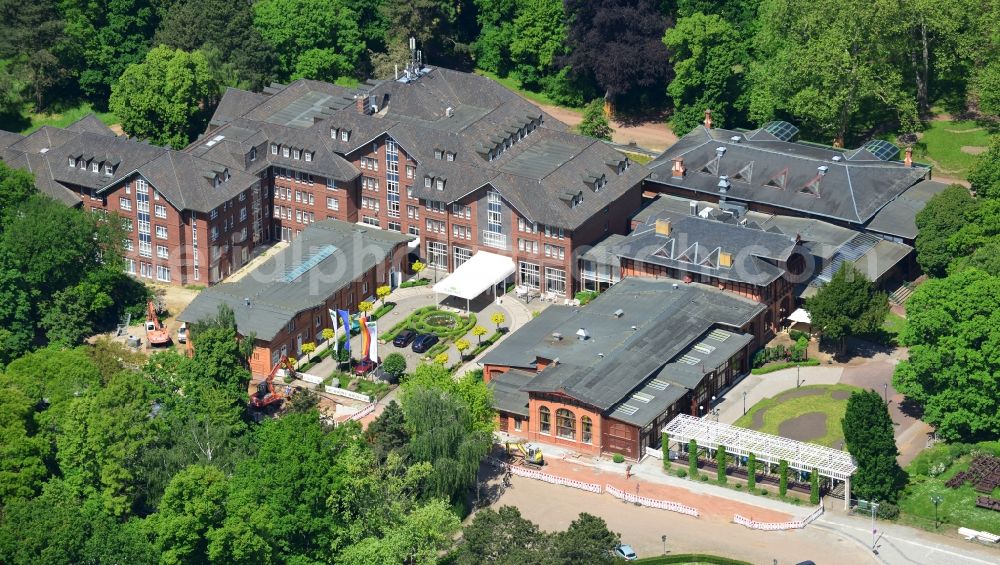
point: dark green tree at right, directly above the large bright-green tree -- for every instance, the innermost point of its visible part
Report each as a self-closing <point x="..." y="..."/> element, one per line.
<point x="943" y="216"/>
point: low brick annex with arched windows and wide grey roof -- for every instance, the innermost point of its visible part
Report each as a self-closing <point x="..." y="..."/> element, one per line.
<point x="606" y="377"/>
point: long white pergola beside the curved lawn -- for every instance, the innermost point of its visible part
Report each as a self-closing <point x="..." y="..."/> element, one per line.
<point x="770" y="449"/>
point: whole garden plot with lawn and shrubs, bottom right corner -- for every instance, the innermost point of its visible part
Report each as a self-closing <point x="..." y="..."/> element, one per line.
<point x="936" y="473"/>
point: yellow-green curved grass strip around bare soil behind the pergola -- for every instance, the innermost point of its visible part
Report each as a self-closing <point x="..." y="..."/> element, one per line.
<point x="785" y="407"/>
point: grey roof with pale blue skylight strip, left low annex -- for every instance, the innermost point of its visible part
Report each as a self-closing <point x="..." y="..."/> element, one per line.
<point x="341" y="252"/>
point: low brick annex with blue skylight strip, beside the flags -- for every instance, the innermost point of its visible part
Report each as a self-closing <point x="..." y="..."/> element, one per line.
<point x="284" y="302"/>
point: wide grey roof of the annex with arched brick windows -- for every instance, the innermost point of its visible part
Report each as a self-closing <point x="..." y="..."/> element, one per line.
<point x="616" y="359"/>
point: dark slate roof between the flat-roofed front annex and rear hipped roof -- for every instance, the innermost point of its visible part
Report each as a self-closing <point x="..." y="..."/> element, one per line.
<point x="695" y="244"/>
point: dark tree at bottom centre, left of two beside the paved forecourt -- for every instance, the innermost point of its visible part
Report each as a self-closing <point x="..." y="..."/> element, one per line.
<point x="502" y="537"/>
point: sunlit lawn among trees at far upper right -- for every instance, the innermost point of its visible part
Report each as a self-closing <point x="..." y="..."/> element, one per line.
<point x="942" y="142"/>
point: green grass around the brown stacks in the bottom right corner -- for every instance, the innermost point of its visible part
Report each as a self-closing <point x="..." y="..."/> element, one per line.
<point x="957" y="507"/>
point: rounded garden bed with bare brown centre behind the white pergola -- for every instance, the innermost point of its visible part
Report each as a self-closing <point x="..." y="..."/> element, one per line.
<point x="809" y="413"/>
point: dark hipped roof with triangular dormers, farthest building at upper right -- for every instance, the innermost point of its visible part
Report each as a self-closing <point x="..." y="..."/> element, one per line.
<point x="853" y="189"/>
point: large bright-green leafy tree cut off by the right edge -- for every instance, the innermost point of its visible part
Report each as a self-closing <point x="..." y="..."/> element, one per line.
<point x="951" y="334"/>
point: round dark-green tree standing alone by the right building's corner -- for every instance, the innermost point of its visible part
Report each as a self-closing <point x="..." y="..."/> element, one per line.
<point x="848" y="305"/>
